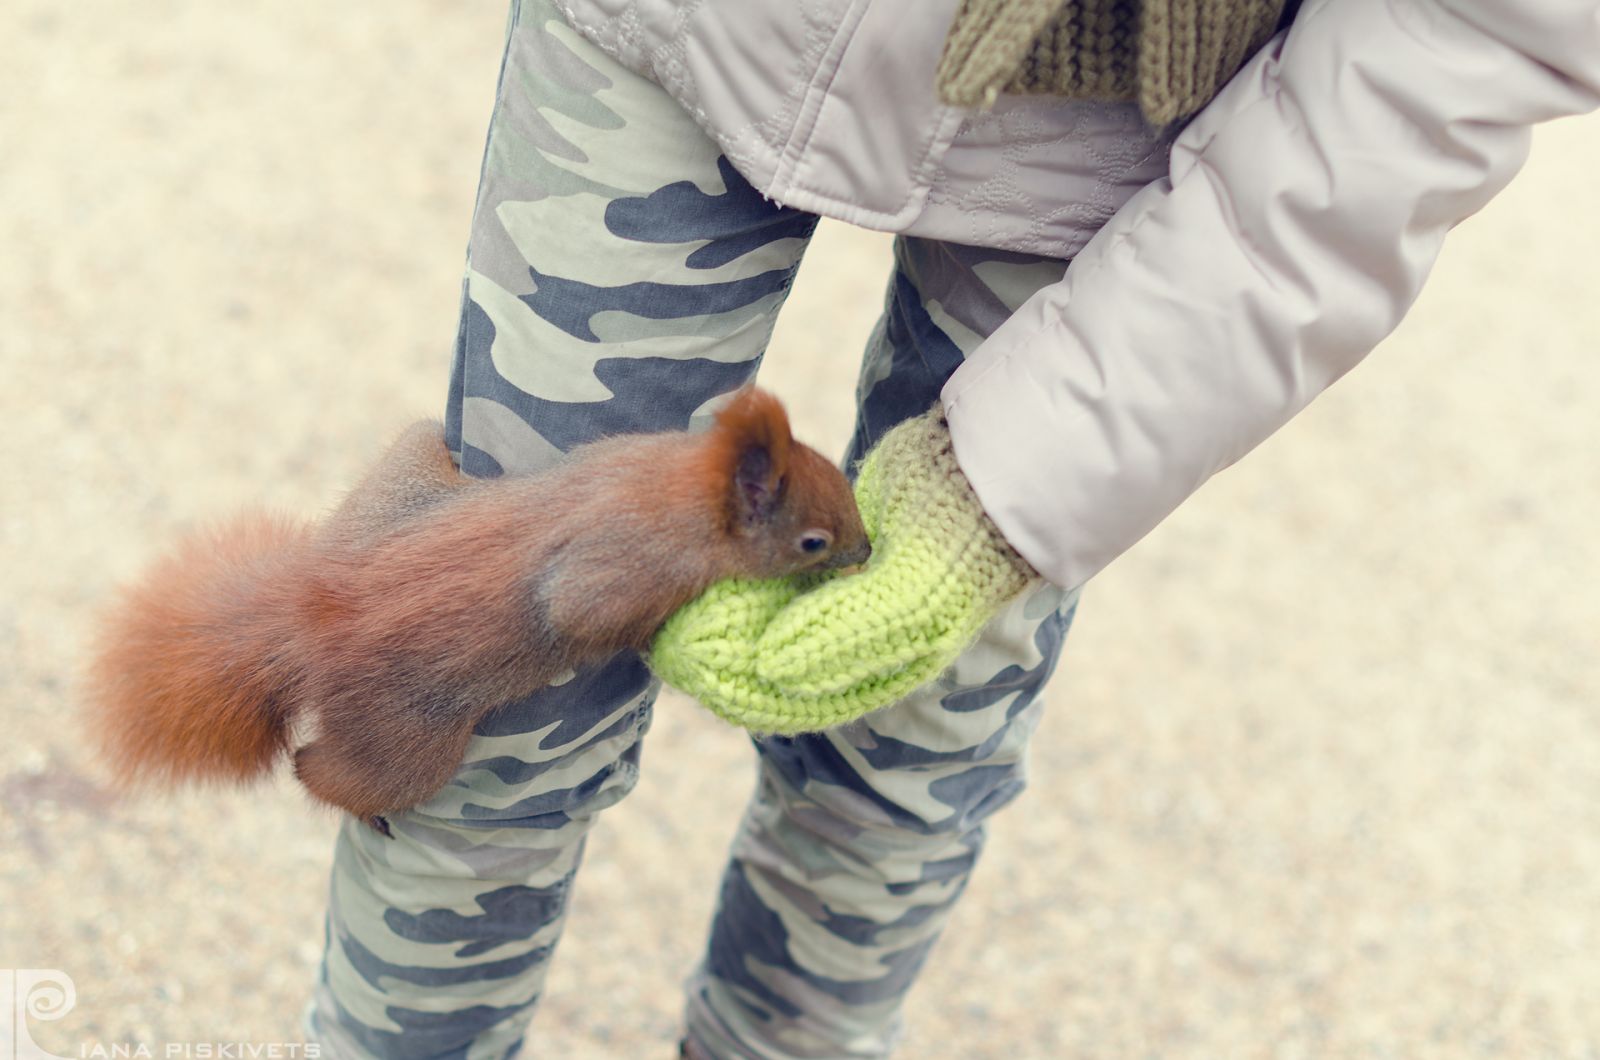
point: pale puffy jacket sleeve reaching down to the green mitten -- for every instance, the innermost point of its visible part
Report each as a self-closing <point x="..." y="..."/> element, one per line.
<point x="1298" y="222"/>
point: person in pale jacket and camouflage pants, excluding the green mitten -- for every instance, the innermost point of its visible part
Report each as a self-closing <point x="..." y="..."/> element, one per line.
<point x="650" y="183"/>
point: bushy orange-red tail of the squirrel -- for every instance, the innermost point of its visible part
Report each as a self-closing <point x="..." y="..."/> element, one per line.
<point x="194" y="664"/>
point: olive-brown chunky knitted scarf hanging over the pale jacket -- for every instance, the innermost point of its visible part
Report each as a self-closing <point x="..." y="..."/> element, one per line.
<point x="1172" y="57"/>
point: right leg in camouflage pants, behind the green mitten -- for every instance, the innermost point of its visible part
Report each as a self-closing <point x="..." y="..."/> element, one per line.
<point x="860" y="841"/>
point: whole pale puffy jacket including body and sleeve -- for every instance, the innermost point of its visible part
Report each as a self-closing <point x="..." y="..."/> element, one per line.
<point x="1222" y="281"/>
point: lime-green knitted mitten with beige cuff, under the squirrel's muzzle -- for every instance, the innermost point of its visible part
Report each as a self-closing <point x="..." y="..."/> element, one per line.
<point x="801" y="656"/>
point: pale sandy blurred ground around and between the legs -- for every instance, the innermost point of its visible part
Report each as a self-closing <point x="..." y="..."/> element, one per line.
<point x="1322" y="769"/>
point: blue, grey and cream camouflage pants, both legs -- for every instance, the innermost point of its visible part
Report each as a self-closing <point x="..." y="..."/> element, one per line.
<point x="622" y="276"/>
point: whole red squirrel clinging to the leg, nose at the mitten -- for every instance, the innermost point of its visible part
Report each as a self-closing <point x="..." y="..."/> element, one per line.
<point x="428" y="600"/>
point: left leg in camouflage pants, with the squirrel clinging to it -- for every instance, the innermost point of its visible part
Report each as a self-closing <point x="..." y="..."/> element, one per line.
<point x="620" y="278"/>
